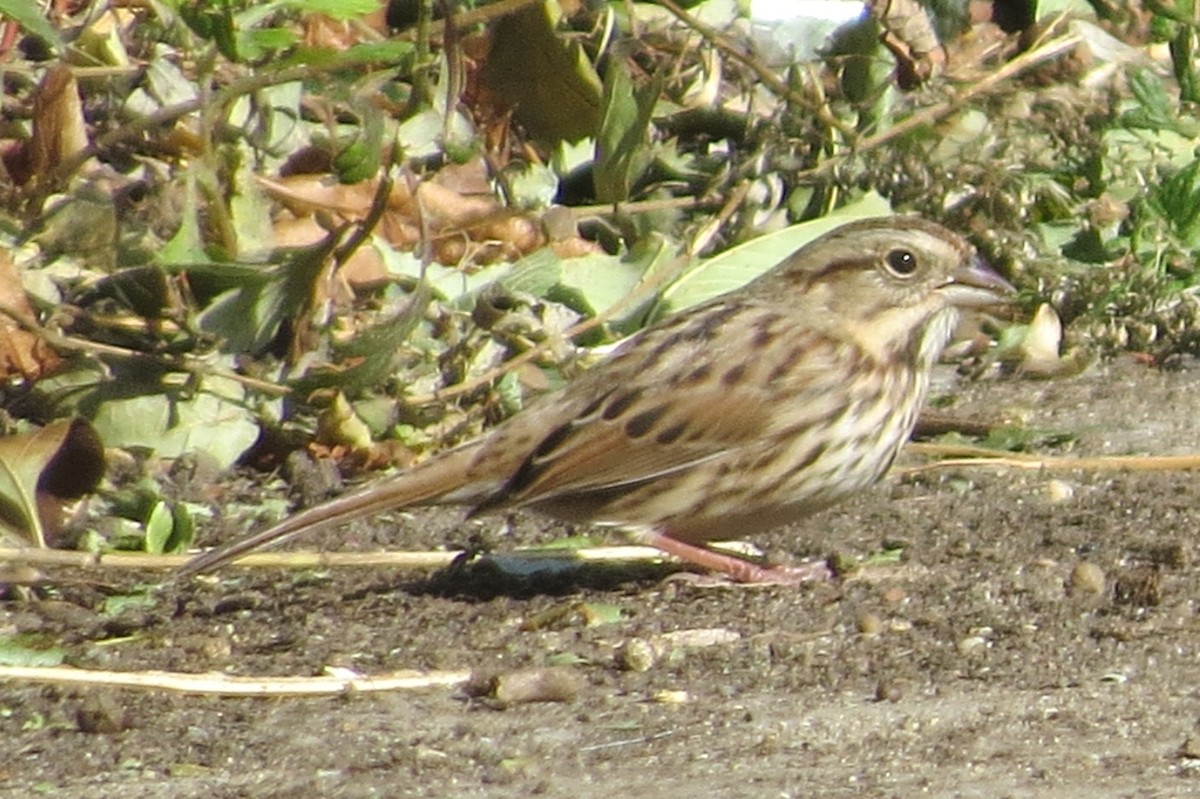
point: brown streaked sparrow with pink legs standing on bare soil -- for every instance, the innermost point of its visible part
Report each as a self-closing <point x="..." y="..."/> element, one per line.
<point x="748" y="412"/>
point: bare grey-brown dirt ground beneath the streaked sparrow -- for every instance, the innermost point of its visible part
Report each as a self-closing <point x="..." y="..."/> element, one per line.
<point x="985" y="663"/>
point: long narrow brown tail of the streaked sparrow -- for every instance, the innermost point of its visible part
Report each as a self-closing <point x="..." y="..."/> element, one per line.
<point x="427" y="484"/>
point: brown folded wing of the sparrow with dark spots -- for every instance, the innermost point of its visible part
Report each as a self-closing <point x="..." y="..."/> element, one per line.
<point x="633" y="420"/>
